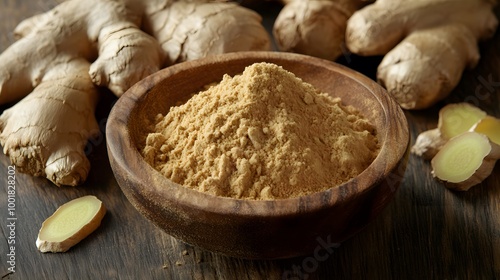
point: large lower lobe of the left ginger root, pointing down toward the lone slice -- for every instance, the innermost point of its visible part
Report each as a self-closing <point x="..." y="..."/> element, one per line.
<point x="46" y="132"/>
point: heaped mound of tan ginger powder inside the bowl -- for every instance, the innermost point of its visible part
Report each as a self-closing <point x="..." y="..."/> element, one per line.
<point x="264" y="134"/>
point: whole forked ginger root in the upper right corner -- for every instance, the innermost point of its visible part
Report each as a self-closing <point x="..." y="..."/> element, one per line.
<point x="427" y="44"/>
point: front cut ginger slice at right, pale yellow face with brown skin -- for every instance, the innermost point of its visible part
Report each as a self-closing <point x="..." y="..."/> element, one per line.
<point x="465" y="161"/>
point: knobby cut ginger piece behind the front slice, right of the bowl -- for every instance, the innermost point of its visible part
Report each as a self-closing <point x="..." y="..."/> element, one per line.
<point x="454" y="119"/>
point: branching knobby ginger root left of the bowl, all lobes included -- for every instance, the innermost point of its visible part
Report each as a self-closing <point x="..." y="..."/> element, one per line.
<point x="46" y="132"/>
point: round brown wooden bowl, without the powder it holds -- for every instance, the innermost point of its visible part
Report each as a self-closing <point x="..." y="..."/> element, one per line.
<point x="250" y="228"/>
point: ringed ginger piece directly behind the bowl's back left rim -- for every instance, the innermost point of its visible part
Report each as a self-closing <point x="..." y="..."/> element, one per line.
<point x="191" y="30"/>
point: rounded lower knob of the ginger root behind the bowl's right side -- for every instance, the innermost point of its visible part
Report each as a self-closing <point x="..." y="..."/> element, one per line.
<point x="418" y="78"/>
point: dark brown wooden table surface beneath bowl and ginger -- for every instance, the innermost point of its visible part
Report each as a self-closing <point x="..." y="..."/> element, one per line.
<point x="427" y="232"/>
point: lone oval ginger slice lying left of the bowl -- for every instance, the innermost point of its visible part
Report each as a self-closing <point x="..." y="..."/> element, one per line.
<point x="70" y="223"/>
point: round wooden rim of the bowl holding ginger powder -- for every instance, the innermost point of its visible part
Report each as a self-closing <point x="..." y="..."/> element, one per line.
<point x="185" y="197"/>
